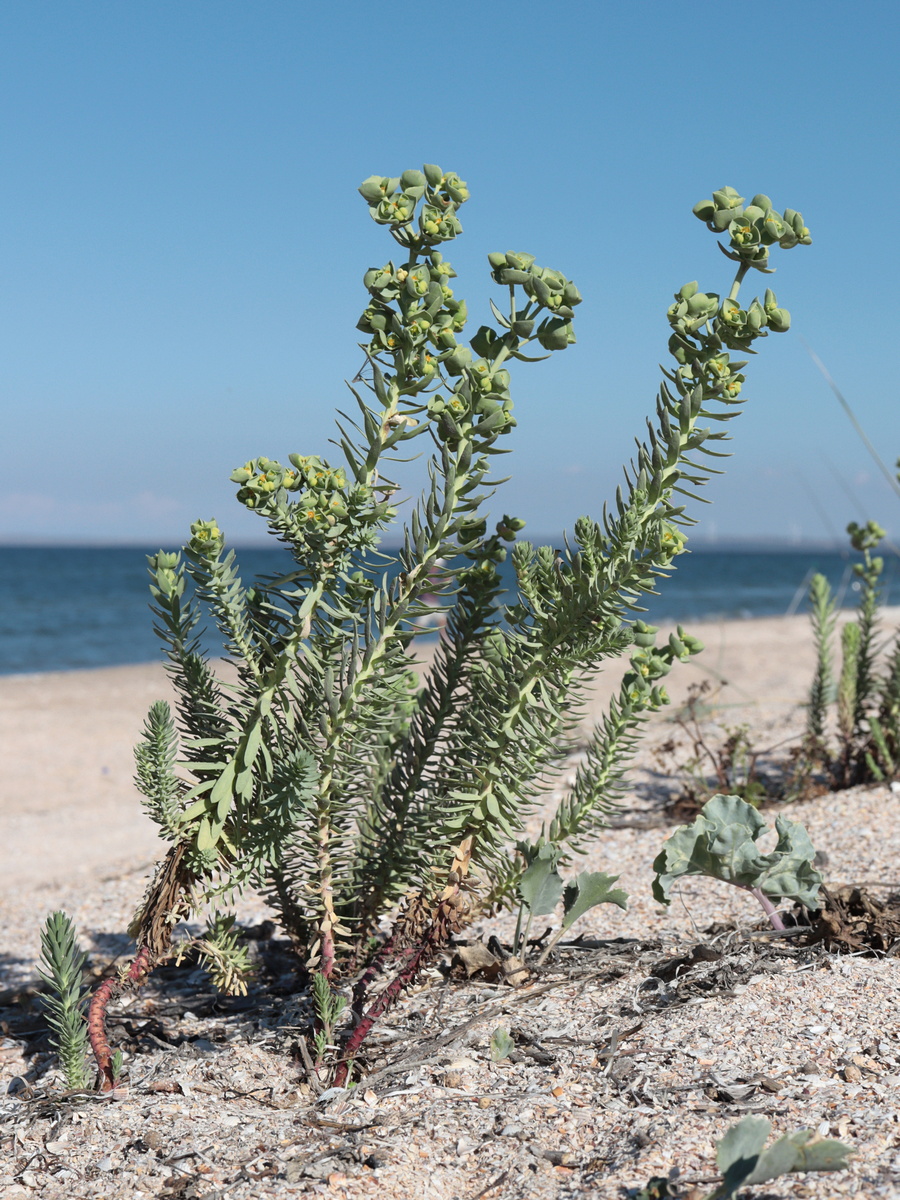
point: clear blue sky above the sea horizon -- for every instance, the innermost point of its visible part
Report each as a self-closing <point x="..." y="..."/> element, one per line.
<point x="183" y="244"/>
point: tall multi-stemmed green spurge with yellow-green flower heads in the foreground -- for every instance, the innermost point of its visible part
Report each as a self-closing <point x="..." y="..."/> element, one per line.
<point x="382" y="812"/>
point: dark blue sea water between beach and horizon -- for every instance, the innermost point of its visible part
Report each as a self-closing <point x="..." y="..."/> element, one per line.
<point x="70" y="608"/>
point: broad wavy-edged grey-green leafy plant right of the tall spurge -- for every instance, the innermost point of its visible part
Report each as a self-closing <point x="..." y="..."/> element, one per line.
<point x="722" y="845"/>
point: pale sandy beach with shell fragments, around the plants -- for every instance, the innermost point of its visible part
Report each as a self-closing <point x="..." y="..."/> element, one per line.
<point x="74" y="837"/>
